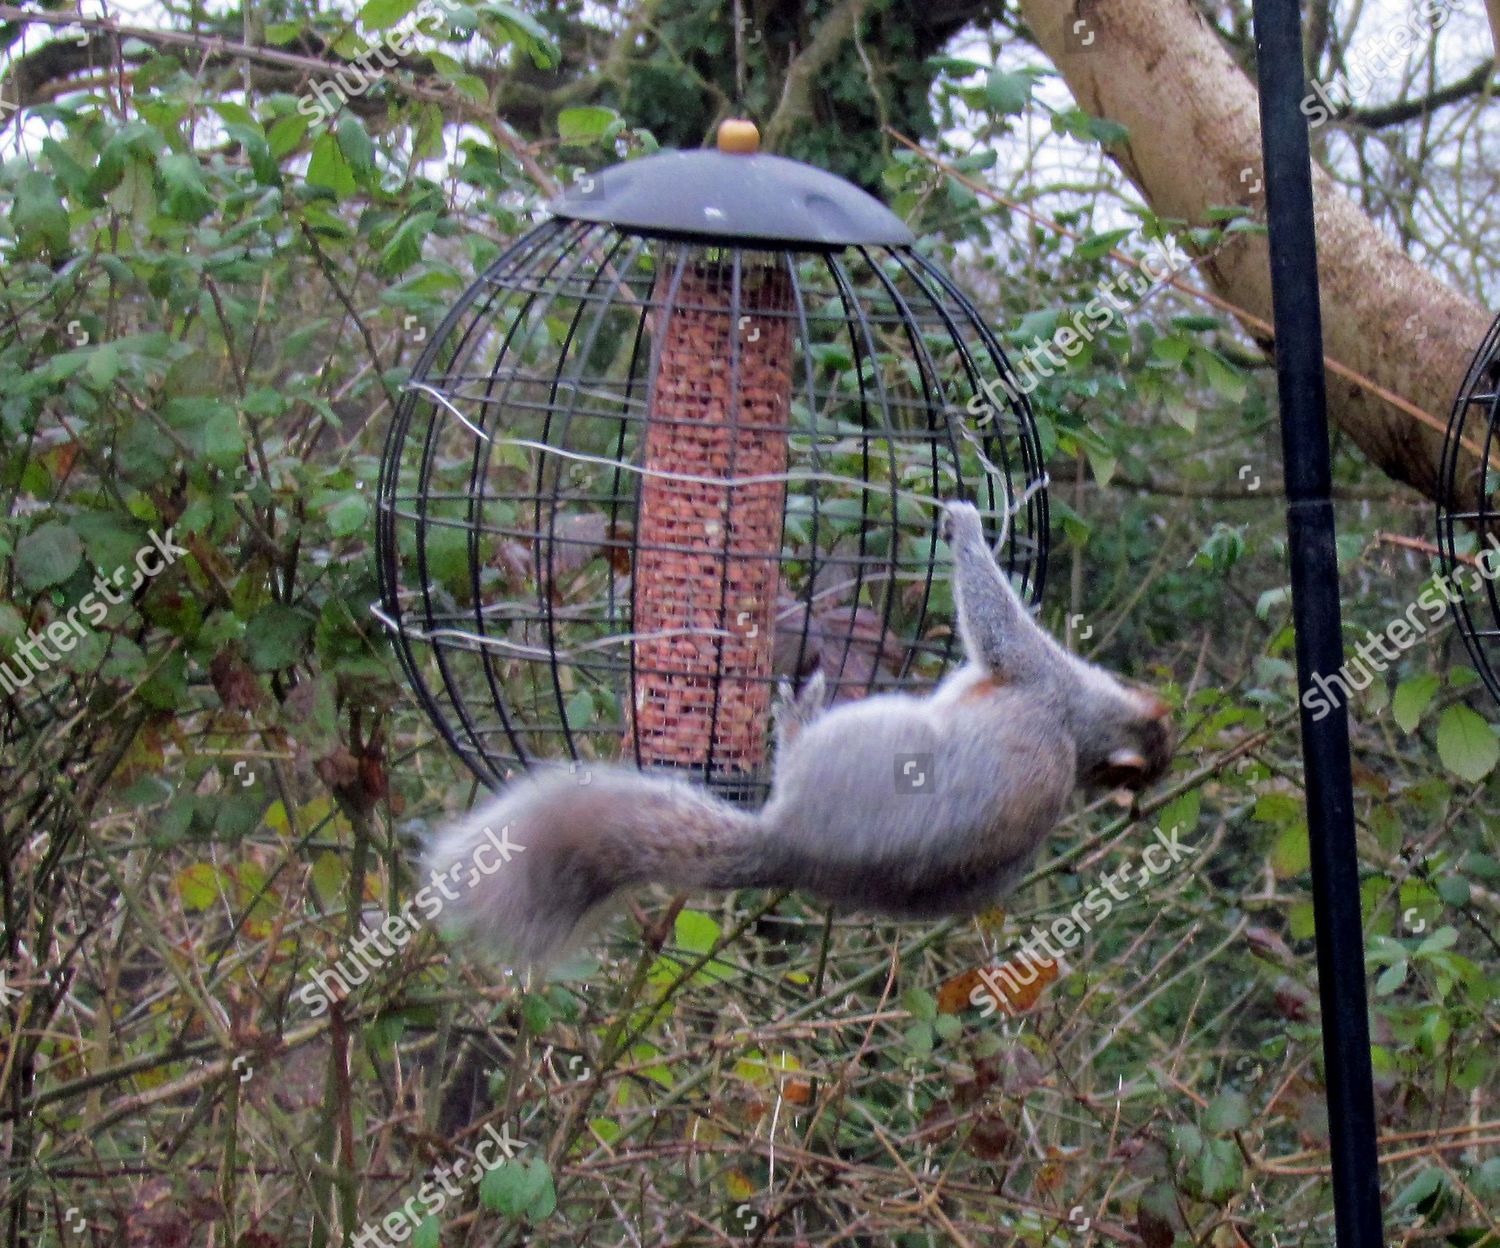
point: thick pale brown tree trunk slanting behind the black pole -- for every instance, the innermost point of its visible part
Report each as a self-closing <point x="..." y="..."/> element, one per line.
<point x="1195" y="142"/>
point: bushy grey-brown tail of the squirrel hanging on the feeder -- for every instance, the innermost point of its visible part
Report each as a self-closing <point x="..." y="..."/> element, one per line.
<point x="529" y="866"/>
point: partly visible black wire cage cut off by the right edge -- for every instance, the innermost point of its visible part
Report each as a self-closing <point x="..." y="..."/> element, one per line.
<point x="1468" y="515"/>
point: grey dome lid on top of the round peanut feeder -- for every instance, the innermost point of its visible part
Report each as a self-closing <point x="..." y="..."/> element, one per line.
<point x="734" y="199"/>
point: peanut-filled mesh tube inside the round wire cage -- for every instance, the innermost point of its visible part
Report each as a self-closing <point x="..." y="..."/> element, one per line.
<point x="707" y="571"/>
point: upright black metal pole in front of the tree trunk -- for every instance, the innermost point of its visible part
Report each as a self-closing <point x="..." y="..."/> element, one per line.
<point x="1316" y="616"/>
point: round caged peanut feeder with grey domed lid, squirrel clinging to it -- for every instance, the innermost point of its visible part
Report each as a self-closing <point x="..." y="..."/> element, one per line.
<point x="682" y="442"/>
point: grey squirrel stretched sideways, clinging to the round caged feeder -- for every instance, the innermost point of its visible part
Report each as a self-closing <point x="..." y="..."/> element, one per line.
<point x="905" y="806"/>
